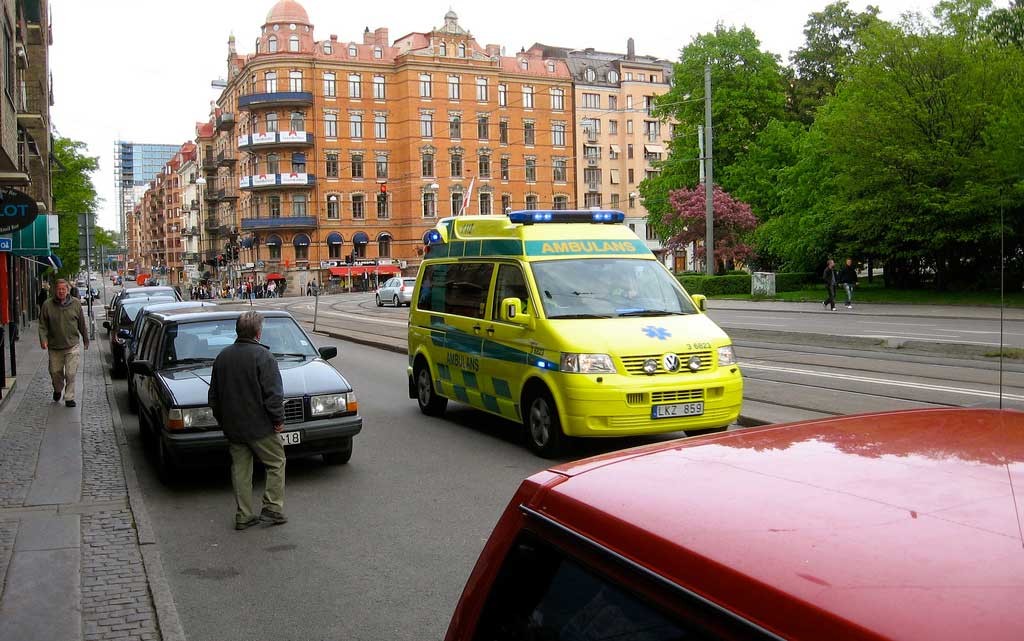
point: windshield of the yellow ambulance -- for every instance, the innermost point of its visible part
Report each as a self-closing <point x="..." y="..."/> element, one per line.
<point x="607" y="288"/>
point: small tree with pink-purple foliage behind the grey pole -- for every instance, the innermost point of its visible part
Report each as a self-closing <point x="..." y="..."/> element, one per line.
<point x="687" y="224"/>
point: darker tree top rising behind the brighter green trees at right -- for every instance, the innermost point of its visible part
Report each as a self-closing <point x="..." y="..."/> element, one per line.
<point x="833" y="36"/>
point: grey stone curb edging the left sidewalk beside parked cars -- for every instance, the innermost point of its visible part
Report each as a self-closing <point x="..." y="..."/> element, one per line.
<point x="167" y="615"/>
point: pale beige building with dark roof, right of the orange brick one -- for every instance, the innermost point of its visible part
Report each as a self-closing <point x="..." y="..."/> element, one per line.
<point x="619" y="138"/>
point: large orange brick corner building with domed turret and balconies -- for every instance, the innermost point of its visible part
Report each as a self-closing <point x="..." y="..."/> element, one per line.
<point x="326" y="153"/>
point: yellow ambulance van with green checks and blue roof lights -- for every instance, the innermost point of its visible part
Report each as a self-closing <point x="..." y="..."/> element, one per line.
<point x="566" y="322"/>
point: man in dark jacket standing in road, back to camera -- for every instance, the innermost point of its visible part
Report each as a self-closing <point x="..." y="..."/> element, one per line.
<point x="247" y="398"/>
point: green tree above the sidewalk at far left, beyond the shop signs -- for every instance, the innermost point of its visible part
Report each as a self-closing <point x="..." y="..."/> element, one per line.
<point x="74" y="194"/>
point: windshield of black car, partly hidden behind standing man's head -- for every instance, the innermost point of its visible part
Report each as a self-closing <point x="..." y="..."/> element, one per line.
<point x="202" y="340"/>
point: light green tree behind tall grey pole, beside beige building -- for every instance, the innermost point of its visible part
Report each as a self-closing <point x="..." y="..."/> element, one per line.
<point x="748" y="92"/>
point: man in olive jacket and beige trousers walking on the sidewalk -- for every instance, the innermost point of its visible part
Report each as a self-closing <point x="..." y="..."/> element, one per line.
<point x="62" y="324"/>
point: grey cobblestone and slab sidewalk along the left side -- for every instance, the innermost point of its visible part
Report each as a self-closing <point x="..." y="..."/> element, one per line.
<point x="114" y="596"/>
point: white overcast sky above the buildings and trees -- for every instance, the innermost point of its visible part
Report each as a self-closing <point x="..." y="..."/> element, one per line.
<point x="141" y="70"/>
